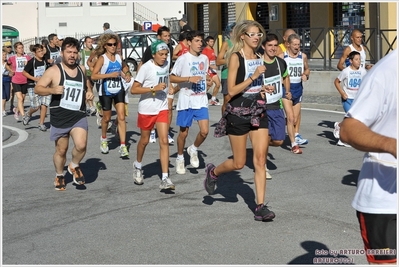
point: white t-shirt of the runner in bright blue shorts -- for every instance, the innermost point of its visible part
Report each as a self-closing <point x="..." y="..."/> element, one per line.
<point x="192" y="95"/>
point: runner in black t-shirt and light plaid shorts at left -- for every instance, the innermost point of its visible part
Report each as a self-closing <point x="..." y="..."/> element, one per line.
<point x="33" y="71"/>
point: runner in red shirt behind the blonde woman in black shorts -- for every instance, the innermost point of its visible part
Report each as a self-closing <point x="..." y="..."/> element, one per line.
<point x="210" y="53"/>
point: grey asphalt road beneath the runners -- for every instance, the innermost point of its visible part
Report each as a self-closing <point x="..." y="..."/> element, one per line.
<point x="112" y="221"/>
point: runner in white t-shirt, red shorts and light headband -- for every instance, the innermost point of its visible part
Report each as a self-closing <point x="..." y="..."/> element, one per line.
<point x="152" y="83"/>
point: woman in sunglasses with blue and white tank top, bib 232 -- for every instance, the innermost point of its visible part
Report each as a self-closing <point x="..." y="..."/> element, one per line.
<point x="111" y="69"/>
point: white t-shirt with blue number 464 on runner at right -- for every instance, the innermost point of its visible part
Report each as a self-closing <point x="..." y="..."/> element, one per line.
<point x="350" y="80"/>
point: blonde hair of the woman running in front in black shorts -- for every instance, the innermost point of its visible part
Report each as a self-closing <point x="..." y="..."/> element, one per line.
<point x="238" y="30"/>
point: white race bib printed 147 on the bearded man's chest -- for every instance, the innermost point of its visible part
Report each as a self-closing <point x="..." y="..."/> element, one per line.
<point x="72" y="97"/>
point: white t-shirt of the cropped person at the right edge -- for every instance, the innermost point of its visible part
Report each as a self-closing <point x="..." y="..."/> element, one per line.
<point x="376" y="106"/>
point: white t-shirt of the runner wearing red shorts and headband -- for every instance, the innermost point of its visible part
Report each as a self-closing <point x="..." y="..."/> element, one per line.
<point x="152" y="75"/>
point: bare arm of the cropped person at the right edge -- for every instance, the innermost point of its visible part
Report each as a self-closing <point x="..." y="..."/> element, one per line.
<point x="358" y="135"/>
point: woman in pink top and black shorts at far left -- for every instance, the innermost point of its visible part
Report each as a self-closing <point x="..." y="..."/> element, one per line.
<point x="19" y="81"/>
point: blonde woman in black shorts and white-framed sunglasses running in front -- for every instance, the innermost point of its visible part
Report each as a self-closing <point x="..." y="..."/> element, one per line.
<point x="245" y="113"/>
